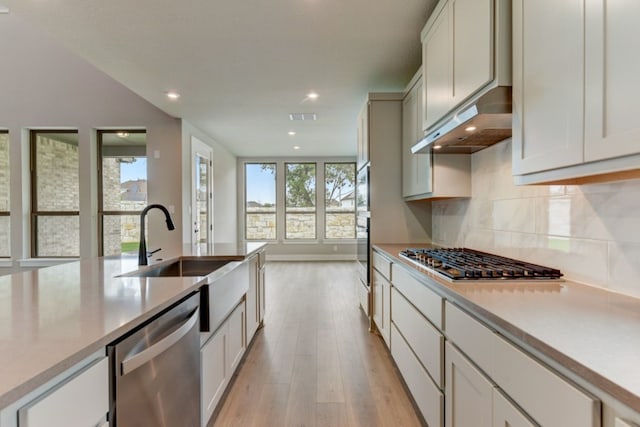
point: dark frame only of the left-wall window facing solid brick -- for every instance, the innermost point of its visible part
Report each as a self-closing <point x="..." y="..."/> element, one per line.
<point x="35" y="213"/>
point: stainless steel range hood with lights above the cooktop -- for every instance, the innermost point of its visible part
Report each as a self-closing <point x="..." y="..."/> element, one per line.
<point x="478" y="124"/>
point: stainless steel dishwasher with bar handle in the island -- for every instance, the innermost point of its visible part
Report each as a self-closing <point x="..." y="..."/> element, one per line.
<point x="155" y="371"/>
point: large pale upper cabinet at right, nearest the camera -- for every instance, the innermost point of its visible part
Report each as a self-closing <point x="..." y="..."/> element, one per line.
<point x="575" y="104"/>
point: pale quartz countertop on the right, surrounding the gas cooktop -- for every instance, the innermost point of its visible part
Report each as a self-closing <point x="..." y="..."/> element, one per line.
<point x="590" y="332"/>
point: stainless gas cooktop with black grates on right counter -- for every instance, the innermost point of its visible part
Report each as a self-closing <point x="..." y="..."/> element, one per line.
<point x="457" y="264"/>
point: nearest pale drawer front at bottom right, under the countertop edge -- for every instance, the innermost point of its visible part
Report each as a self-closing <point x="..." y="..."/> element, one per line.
<point x="547" y="398"/>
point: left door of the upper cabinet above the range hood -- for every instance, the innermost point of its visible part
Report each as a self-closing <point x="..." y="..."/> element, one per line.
<point x="436" y="63"/>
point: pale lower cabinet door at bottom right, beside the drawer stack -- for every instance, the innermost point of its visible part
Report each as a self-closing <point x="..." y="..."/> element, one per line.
<point x="468" y="395"/>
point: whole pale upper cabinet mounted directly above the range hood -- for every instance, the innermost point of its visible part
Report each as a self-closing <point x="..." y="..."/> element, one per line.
<point x="465" y="47"/>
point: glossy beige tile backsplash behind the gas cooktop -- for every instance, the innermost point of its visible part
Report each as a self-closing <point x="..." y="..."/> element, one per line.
<point x="590" y="232"/>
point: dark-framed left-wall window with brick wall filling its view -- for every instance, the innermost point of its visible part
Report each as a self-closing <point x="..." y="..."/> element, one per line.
<point x="55" y="216"/>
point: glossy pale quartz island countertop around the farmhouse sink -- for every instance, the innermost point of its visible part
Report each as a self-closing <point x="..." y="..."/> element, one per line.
<point x="53" y="317"/>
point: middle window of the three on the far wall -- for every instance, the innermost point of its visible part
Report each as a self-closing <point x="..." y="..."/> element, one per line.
<point x="300" y="198"/>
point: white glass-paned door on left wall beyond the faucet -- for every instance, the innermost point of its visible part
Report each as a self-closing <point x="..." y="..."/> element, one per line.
<point x="201" y="192"/>
